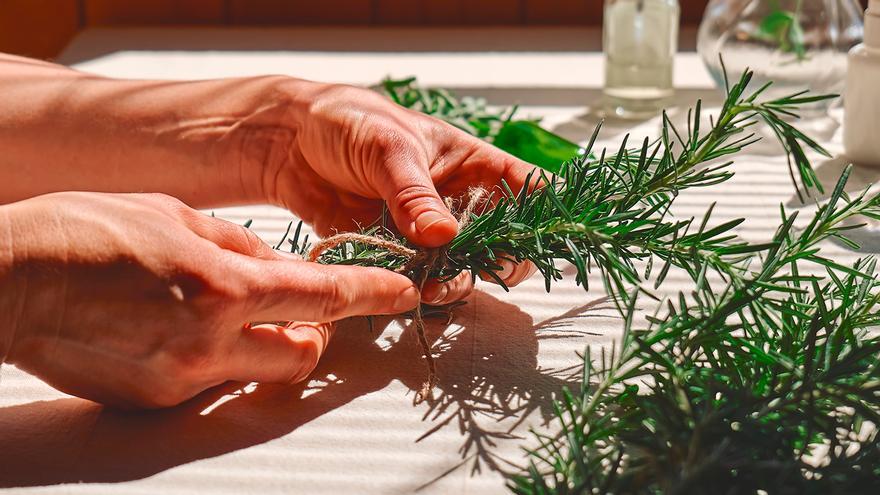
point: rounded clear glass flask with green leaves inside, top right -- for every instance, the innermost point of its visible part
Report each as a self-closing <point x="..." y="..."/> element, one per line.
<point x="797" y="44"/>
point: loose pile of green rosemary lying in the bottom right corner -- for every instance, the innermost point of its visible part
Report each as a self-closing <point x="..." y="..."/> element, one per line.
<point x="772" y="384"/>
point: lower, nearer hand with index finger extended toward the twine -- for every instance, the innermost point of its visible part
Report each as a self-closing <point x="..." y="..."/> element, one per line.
<point x="138" y="300"/>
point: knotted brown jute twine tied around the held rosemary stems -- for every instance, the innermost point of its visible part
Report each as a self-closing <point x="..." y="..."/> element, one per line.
<point x="421" y="263"/>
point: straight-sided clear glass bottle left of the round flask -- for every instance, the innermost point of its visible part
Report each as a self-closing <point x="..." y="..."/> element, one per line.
<point x="640" y="38"/>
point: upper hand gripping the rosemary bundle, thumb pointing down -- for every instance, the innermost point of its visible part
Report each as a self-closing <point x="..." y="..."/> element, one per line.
<point x="358" y="151"/>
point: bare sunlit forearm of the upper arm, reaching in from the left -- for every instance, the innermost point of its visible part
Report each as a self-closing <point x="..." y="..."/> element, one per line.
<point x="65" y="130"/>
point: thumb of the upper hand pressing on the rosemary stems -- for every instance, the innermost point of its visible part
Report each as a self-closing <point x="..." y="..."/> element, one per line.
<point x="415" y="206"/>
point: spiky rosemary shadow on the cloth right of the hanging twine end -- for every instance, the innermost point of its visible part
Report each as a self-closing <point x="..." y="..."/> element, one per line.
<point x="490" y="381"/>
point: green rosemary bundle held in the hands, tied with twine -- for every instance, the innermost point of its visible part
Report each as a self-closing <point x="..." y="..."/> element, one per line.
<point x="610" y="212"/>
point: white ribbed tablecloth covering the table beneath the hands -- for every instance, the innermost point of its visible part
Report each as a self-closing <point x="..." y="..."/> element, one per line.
<point x="353" y="427"/>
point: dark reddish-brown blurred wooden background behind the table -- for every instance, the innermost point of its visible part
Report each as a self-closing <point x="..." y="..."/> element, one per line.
<point x="42" y="28"/>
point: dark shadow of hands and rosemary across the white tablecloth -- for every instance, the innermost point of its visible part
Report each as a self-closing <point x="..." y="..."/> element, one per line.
<point x="73" y="440"/>
